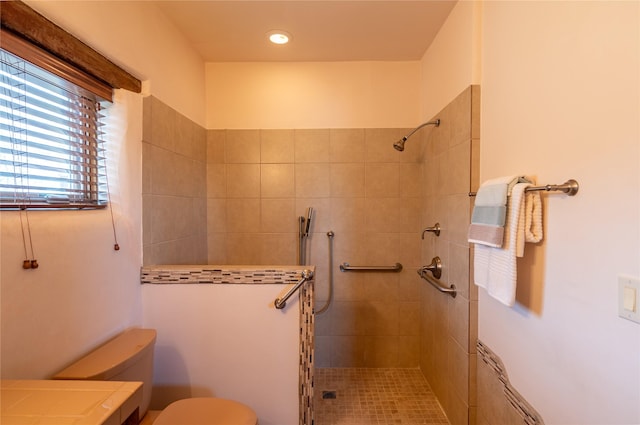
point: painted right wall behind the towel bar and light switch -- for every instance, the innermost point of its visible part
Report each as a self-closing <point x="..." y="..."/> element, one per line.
<point x="560" y="100"/>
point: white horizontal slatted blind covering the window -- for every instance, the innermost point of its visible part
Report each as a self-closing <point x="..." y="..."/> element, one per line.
<point x="51" y="149"/>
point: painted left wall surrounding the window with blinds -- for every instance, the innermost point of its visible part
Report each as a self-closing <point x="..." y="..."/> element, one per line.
<point x="84" y="292"/>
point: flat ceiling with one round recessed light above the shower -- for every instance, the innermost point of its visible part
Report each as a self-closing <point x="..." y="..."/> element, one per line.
<point x="325" y="30"/>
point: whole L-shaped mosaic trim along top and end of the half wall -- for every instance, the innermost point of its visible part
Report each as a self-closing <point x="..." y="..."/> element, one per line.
<point x="254" y="275"/>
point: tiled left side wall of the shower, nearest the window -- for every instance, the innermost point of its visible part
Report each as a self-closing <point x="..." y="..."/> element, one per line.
<point x="174" y="187"/>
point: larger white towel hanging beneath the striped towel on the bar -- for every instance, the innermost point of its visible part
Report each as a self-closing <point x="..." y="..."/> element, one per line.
<point x="495" y="268"/>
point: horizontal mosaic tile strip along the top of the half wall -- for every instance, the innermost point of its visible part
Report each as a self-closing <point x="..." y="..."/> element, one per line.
<point x="218" y="275"/>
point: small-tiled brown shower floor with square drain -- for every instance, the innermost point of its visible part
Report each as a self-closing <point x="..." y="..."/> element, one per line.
<point x="374" y="396"/>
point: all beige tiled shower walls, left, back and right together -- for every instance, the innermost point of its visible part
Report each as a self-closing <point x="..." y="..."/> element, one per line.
<point x="233" y="197"/>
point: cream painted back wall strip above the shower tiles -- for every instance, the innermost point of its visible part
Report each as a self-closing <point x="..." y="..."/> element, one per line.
<point x="312" y="95"/>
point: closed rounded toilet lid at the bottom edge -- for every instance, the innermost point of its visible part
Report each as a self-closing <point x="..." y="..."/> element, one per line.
<point x="206" y="411"/>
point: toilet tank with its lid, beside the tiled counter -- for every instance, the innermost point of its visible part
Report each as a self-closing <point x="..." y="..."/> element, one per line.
<point x="127" y="357"/>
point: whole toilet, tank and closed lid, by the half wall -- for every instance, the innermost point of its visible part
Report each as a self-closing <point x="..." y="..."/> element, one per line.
<point x="129" y="357"/>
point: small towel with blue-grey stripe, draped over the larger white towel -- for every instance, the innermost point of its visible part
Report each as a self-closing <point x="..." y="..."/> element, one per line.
<point x="490" y="210"/>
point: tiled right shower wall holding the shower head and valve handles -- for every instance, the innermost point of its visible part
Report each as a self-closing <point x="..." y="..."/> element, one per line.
<point x="449" y="325"/>
